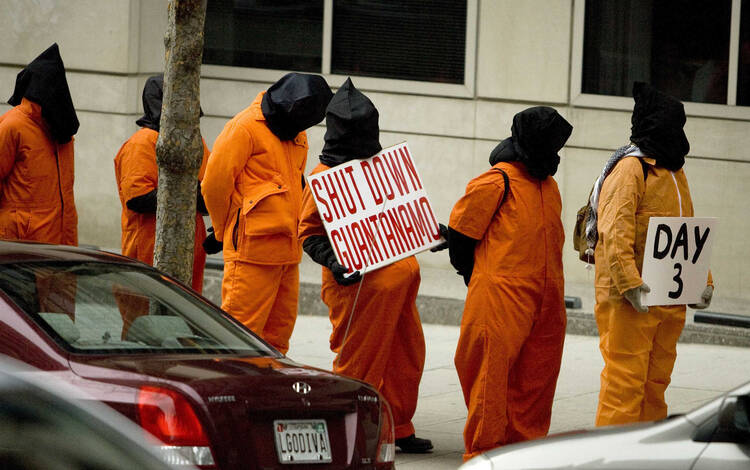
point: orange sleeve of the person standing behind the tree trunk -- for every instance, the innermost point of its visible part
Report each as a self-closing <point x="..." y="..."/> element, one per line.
<point x="138" y="171"/>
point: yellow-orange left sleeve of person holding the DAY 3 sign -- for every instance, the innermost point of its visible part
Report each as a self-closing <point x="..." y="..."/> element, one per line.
<point x="618" y="201"/>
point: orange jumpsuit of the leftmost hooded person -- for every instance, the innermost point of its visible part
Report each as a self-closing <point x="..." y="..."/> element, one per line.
<point x="36" y="180"/>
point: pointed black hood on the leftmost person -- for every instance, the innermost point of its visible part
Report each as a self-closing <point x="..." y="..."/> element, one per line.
<point x="43" y="82"/>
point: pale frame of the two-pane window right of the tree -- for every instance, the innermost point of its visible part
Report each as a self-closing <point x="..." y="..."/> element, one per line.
<point x="464" y="90"/>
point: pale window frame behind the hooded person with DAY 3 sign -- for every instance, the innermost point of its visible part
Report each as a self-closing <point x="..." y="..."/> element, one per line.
<point x="729" y="110"/>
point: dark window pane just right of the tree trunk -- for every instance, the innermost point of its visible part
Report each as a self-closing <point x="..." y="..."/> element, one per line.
<point x="269" y="34"/>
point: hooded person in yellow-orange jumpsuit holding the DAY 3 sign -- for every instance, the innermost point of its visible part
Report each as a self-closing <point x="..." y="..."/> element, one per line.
<point x="640" y="181"/>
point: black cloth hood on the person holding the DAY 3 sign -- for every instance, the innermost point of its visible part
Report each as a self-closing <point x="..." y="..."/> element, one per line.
<point x="658" y="121"/>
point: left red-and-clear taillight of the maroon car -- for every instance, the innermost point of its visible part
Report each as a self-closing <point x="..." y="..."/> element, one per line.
<point x="168" y="416"/>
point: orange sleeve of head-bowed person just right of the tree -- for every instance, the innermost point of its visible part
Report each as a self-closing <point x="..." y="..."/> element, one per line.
<point x="230" y="154"/>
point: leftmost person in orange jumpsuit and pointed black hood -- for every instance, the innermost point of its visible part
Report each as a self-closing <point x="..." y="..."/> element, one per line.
<point x="36" y="156"/>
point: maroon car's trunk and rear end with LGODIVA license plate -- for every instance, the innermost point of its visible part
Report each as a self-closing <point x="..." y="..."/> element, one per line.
<point x="248" y="404"/>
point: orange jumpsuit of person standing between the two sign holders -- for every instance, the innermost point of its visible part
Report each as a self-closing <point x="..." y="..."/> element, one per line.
<point x="513" y="326"/>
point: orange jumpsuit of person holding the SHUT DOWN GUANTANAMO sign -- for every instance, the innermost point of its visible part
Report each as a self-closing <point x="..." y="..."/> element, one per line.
<point x="393" y="359"/>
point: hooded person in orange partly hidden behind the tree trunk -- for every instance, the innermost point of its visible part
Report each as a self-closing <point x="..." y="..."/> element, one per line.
<point x="137" y="177"/>
